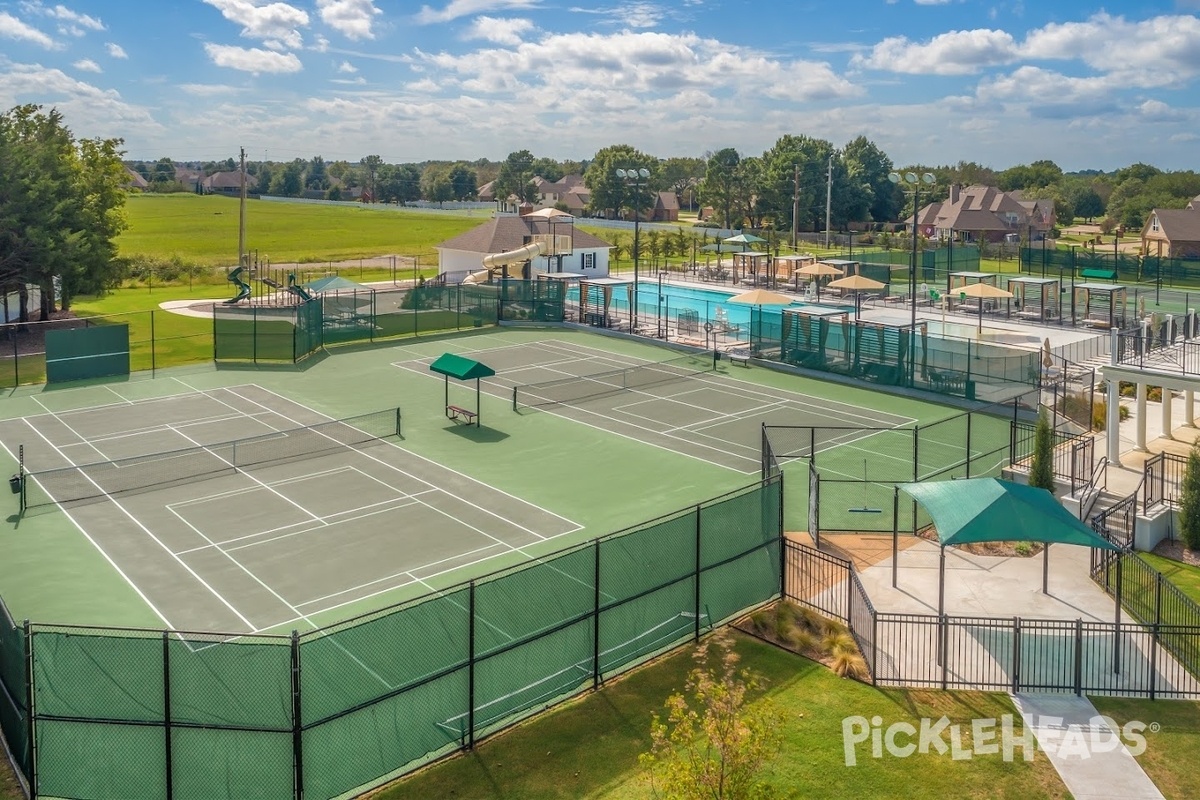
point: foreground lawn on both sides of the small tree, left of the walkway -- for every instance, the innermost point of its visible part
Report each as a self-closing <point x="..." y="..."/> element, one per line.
<point x="590" y="748"/>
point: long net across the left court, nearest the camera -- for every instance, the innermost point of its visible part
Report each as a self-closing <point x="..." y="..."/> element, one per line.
<point x="95" y="482"/>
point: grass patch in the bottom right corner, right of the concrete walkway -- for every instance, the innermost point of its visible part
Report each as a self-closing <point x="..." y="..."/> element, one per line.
<point x="1171" y="753"/>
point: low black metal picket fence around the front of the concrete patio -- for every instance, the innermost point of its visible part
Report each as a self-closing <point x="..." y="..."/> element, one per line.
<point x="1005" y="653"/>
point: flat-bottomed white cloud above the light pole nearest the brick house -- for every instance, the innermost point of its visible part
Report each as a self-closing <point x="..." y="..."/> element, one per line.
<point x="946" y="55"/>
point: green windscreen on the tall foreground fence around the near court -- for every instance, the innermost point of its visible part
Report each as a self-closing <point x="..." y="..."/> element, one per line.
<point x="142" y="714"/>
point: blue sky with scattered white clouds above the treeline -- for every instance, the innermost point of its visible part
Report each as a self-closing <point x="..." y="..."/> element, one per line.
<point x="929" y="81"/>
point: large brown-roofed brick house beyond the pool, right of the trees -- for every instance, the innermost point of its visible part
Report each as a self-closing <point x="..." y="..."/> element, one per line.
<point x="982" y="214"/>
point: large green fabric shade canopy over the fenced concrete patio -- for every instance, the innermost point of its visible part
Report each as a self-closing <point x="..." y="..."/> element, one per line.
<point x="992" y="510"/>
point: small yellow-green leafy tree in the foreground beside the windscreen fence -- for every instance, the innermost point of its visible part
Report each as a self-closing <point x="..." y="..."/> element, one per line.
<point x="713" y="744"/>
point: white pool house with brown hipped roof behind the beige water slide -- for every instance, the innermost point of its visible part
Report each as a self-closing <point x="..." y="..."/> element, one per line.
<point x="464" y="255"/>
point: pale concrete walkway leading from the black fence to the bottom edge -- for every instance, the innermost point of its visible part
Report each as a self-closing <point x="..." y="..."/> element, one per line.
<point x="1077" y="741"/>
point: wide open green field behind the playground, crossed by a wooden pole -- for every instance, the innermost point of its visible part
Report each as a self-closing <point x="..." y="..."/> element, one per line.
<point x="205" y="230"/>
